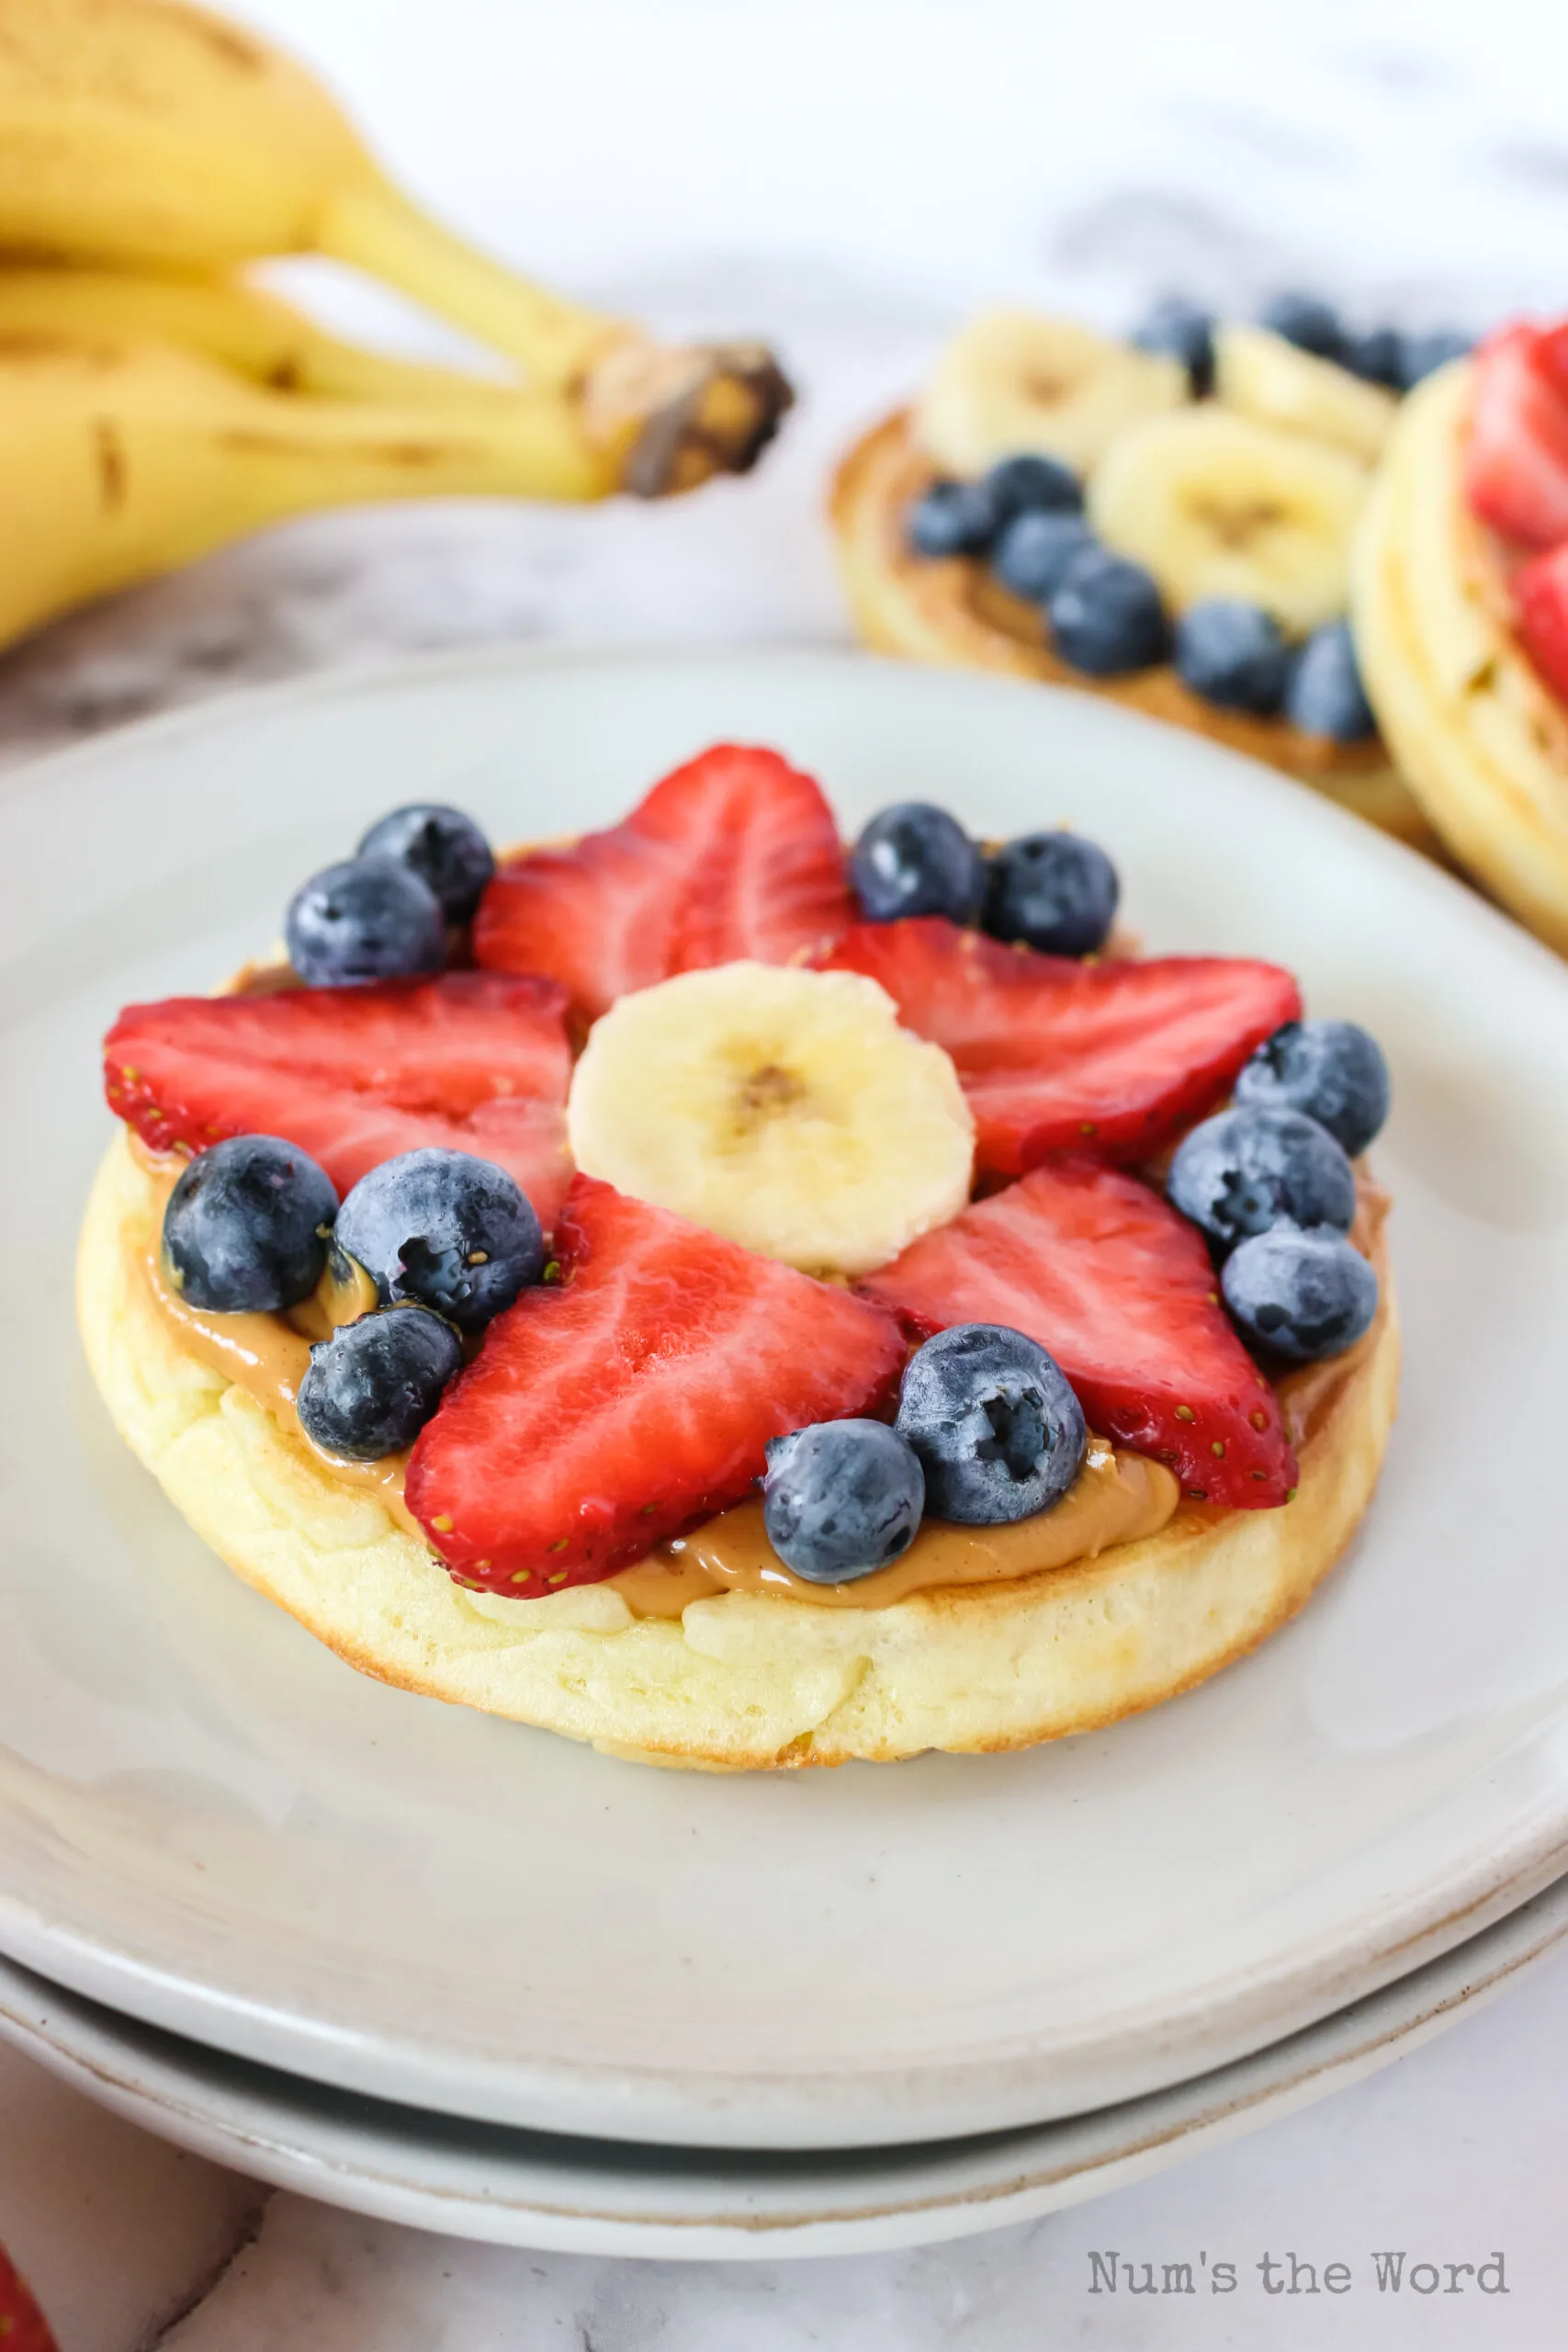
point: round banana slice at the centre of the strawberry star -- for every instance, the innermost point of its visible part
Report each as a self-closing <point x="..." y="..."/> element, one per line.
<point x="784" y="1109"/>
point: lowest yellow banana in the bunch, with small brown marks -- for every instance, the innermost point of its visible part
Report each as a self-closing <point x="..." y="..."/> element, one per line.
<point x="121" y="460"/>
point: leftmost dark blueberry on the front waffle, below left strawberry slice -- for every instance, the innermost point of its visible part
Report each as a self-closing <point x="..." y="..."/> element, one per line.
<point x="248" y="1227"/>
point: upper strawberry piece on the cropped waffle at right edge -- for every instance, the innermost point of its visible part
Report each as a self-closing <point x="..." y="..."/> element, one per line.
<point x="1517" y="453"/>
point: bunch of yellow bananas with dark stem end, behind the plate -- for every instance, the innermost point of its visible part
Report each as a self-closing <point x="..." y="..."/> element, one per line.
<point x="154" y="406"/>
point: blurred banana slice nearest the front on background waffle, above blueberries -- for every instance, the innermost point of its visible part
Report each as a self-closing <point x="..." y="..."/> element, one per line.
<point x="1221" y="507"/>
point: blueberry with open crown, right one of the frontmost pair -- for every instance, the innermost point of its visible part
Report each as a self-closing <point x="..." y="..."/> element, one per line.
<point x="993" y="1422"/>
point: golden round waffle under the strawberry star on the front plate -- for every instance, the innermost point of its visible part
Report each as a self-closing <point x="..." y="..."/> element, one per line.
<point x="744" y="1681"/>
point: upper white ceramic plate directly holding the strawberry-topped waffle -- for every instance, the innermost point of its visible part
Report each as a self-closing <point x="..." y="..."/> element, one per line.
<point x="215" y="1826"/>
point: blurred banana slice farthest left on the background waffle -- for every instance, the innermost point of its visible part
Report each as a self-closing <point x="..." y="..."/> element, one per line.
<point x="1017" y="382"/>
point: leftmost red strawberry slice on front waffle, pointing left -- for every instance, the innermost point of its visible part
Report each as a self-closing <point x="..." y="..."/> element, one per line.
<point x="354" y="1076"/>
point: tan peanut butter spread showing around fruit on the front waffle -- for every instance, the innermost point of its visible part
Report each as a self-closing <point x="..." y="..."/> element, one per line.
<point x="1118" y="1497"/>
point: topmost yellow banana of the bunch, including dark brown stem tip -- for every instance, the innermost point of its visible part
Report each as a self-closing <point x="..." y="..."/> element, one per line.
<point x="156" y="135"/>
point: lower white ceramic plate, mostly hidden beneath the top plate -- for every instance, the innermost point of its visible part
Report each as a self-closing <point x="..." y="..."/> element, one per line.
<point x="523" y="2189"/>
